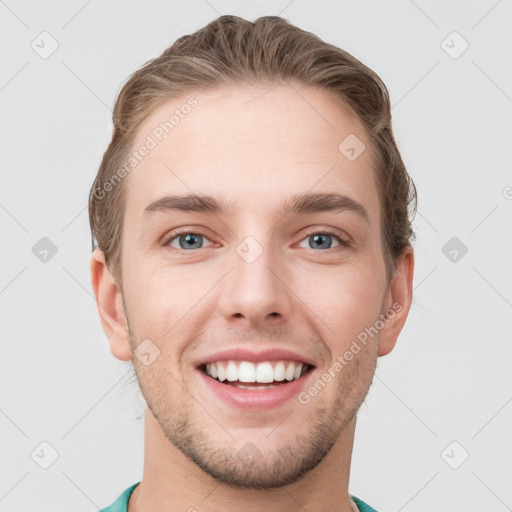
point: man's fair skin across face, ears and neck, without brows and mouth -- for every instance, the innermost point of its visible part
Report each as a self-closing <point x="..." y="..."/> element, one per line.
<point x="252" y="147"/>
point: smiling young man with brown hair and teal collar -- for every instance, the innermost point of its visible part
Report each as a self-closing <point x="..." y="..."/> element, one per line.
<point x="254" y="259"/>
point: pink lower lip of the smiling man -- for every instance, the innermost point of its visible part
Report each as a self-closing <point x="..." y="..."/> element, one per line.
<point x="256" y="399"/>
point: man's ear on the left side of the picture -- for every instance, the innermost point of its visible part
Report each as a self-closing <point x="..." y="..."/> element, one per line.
<point x="109" y="301"/>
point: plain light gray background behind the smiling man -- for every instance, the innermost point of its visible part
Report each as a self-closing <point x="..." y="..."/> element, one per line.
<point x="448" y="378"/>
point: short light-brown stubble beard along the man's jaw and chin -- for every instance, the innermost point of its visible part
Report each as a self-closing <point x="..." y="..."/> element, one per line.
<point x="248" y="467"/>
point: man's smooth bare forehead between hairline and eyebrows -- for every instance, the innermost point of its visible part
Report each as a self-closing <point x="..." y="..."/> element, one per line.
<point x="252" y="146"/>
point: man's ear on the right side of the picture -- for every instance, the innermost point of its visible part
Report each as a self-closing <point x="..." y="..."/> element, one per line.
<point x="397" y="301"/>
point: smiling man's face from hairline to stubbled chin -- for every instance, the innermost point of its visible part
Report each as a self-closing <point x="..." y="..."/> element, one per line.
<point x="269" y="276"/>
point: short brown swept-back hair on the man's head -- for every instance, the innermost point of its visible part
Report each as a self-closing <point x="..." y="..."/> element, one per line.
<point x="231" y="50"/>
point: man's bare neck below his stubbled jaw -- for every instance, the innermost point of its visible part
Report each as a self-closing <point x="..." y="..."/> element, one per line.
<point x="171" y="482"/>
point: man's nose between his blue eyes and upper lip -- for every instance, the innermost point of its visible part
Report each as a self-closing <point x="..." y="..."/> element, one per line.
<point x="255" y="292"/>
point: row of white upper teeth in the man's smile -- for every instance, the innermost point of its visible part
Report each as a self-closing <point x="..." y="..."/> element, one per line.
<point x="264" y="372"/>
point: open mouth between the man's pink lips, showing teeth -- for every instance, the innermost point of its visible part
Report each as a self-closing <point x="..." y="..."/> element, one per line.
<point x="252" y="376"/>
